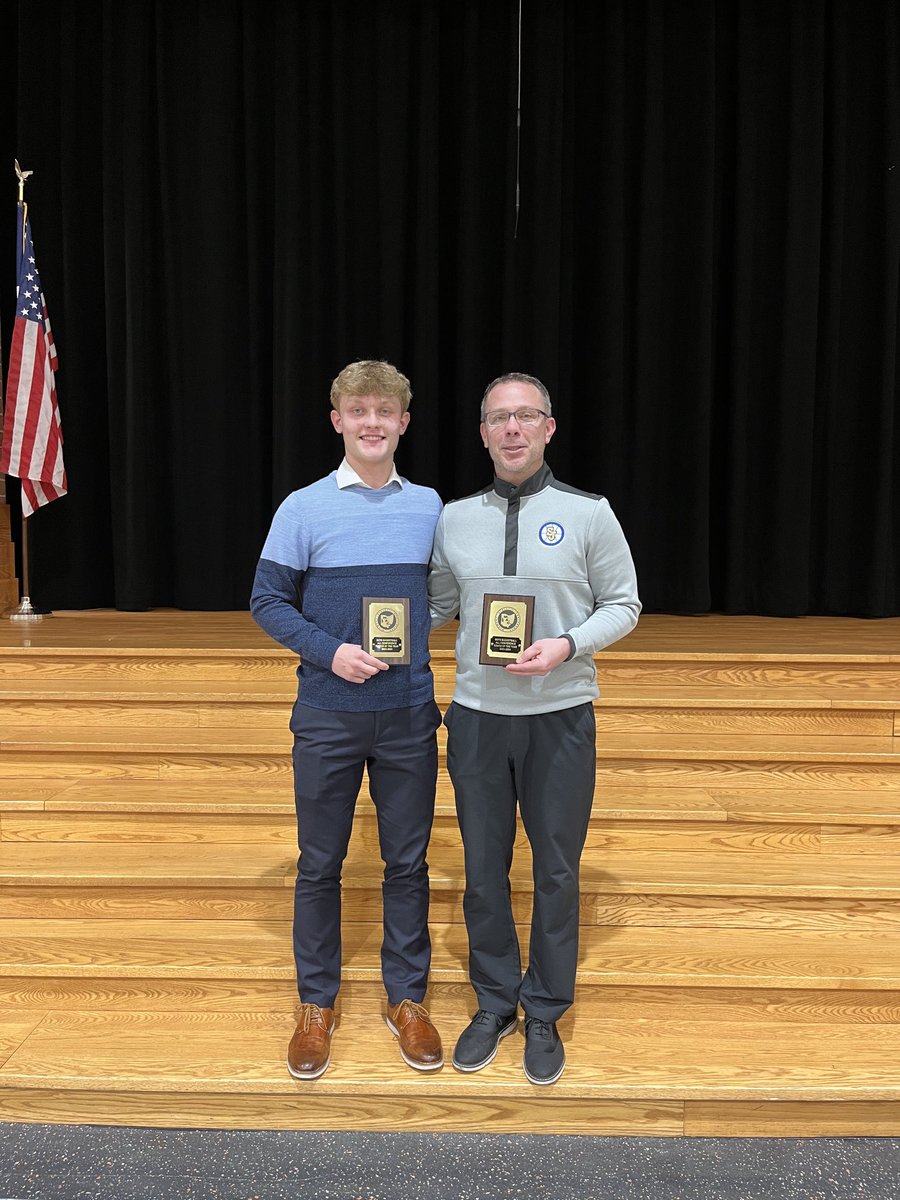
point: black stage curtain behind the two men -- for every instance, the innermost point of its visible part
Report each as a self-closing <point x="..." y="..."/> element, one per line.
<point x="232" y="201"/>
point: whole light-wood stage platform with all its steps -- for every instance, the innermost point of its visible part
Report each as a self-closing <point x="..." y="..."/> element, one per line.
<point x="740" y="964"/>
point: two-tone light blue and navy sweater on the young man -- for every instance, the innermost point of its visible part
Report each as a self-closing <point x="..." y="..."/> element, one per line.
<point x="327" y="549"/>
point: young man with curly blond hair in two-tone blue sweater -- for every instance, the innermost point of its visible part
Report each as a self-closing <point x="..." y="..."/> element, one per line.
<point x="361" y="532"/>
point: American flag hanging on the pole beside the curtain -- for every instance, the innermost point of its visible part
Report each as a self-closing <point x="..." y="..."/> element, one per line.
<point x="33" y="435"/>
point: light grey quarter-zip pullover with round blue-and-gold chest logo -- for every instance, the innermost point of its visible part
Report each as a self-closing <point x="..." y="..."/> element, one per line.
<point x="544" y="539"/>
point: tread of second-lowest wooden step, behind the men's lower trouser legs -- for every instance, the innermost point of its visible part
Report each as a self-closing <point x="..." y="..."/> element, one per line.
<point x="232" y="950"/>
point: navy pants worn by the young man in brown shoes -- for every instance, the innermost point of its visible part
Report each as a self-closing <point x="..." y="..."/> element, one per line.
<point x="399" y="747"/>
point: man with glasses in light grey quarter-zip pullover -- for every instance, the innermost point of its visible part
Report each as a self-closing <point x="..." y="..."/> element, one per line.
<point x="524" y="734"/>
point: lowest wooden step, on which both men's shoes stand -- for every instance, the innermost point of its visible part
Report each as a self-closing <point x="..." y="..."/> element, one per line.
<point x="632" y="1069"/>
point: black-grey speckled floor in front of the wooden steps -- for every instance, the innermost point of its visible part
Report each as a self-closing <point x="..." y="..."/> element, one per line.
<point x="87" y="1163"/>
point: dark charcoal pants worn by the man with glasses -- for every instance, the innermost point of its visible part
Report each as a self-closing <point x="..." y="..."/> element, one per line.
<point x="547" y="765"/>
